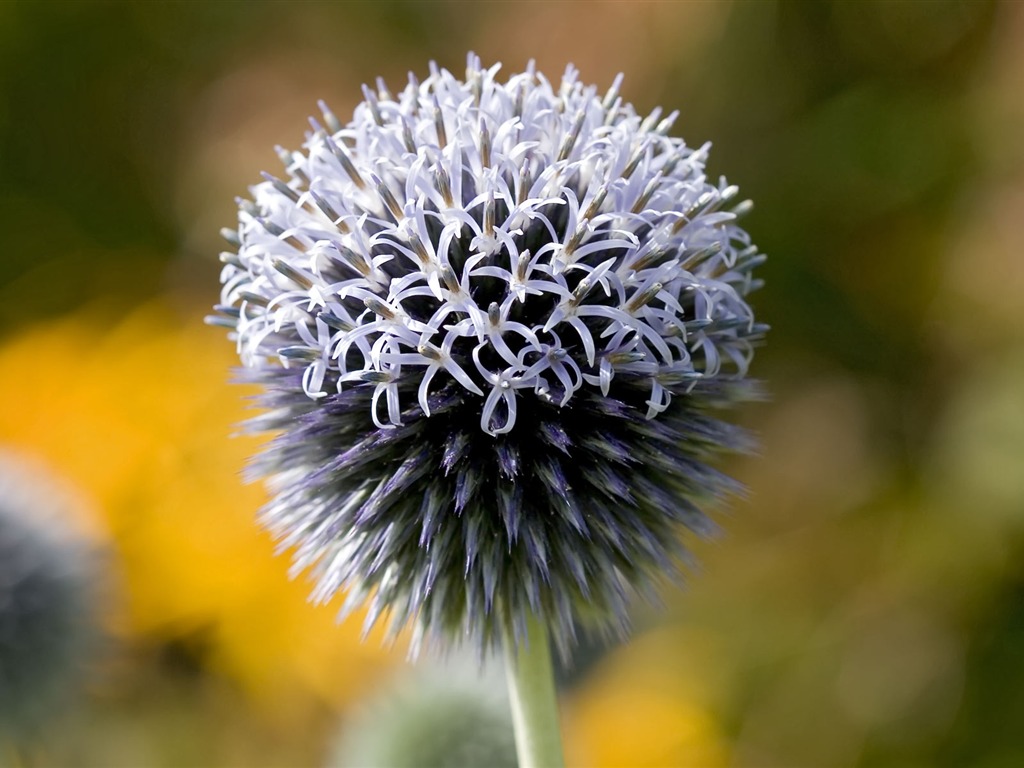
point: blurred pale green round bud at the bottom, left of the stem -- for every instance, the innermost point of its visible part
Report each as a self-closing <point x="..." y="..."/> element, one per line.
<point x="441" y="717"/>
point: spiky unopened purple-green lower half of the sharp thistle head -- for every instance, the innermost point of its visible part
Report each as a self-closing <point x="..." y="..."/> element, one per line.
<point x="459" y="533"/>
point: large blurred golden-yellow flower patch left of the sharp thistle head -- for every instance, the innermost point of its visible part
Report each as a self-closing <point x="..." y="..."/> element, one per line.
<point x="139" y="417"/>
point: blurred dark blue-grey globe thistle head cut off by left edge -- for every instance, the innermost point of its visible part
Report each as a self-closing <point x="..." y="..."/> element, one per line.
<point x="48" y="595"/>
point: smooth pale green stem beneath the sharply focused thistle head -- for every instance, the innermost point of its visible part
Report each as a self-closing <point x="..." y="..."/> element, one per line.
<point x="532" y="692"/>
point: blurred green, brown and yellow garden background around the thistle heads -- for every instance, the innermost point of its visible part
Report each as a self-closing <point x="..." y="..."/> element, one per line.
<point x="867" y="605"/>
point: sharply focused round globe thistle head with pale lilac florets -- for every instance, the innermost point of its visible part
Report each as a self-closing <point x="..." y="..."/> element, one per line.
<point x="492" y="322"/>
